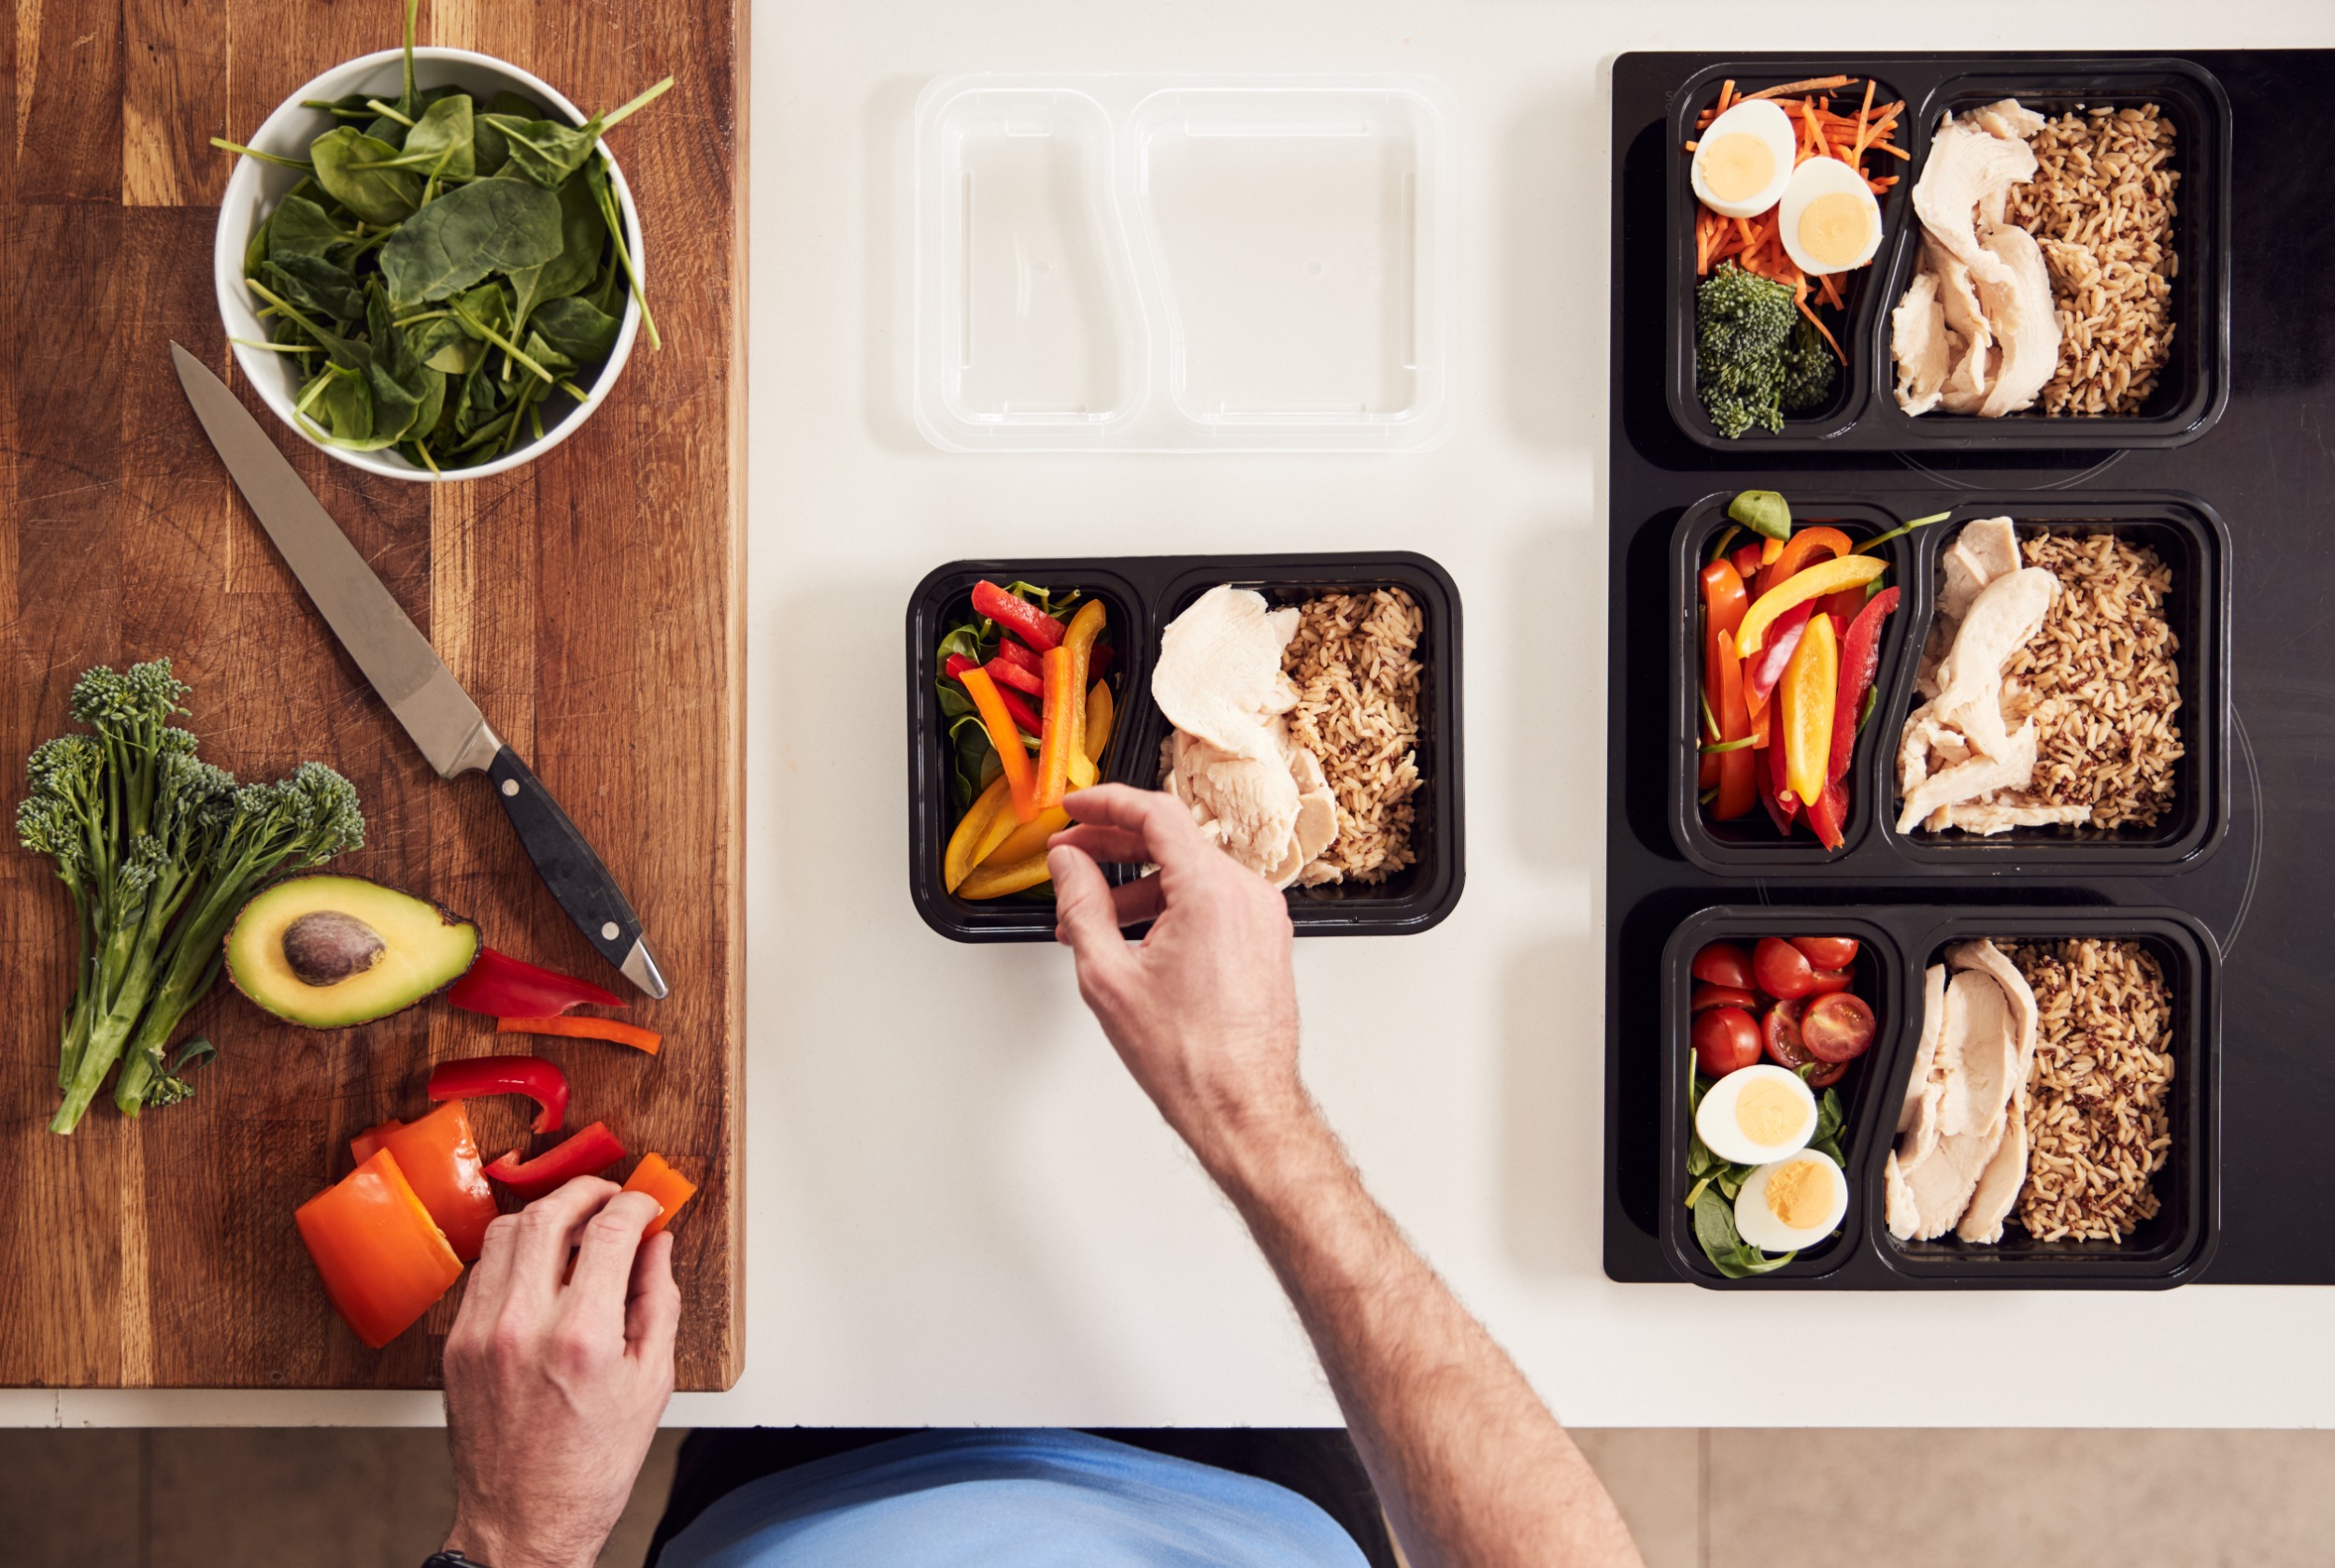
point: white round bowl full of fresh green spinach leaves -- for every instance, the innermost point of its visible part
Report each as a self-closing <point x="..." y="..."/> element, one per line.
<point x="431" y="265"/>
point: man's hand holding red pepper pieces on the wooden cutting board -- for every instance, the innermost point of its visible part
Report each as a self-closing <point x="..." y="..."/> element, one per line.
<point x="555" y="1382"/>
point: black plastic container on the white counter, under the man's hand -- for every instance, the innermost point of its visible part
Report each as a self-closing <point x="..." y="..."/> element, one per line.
<point x="1141" y="597"/>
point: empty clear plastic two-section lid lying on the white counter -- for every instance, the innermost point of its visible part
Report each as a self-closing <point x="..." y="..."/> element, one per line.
<point x="1117" y="263"/>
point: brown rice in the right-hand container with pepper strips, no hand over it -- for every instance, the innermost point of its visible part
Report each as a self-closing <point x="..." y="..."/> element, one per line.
<point x="2100" y="681"/>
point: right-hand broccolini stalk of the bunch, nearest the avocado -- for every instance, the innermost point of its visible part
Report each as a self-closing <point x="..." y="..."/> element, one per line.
<point x="284" y="828"/>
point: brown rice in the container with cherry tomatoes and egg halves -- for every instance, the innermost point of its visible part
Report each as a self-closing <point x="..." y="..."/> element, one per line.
<point x="2096" y="1097"/>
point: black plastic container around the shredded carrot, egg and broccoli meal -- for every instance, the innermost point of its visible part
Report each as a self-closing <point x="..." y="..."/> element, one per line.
<point x="2191" y="391"/>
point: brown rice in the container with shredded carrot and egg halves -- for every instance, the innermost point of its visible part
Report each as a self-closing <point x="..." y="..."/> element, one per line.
<point x="2103" y="209"/>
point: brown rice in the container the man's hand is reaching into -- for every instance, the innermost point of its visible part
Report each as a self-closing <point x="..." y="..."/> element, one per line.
<point x="1360" y="714"/>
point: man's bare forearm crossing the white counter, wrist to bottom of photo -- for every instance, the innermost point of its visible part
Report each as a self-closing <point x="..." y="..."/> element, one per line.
<point x="1465" y="1457"/>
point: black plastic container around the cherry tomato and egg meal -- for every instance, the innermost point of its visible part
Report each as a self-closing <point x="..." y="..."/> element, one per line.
<point x="1902" y="943"/>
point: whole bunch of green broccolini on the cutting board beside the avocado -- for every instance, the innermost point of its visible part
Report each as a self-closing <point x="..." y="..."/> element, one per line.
<point x="158" y="854"/>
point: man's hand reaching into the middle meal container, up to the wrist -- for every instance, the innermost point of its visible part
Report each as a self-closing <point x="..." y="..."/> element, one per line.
<point x="1206" y="1008"/>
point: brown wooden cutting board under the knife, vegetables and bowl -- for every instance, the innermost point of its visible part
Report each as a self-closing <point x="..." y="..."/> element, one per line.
<point x="587" y="602"/>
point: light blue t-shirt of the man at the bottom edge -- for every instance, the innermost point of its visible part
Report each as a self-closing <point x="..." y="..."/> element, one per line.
<point x="1012" y="1499"/>
